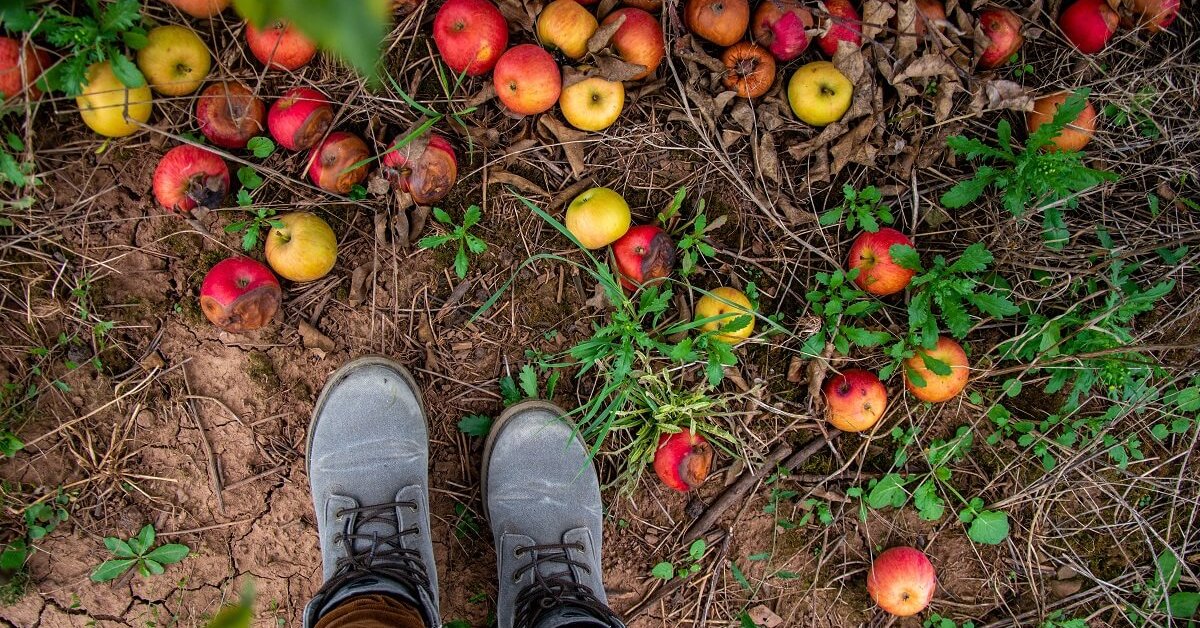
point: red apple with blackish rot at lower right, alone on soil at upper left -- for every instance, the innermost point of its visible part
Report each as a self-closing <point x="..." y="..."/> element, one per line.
<point x="189" y="177"/>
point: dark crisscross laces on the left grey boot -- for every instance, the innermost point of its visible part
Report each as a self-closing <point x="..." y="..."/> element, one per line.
<point x="383" y="554"/>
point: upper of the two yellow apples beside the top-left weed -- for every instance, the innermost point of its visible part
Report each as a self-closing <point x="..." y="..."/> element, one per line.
<point x="175" y="62"/>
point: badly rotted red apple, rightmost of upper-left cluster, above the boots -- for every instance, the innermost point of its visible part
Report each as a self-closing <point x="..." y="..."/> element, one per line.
<point x="427" y="170"/>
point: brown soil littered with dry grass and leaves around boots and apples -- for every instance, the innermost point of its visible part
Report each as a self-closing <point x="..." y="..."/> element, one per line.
<point x="202" y="433"/>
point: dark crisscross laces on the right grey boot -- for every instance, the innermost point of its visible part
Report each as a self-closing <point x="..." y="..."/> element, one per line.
<point x="556" y="590"/>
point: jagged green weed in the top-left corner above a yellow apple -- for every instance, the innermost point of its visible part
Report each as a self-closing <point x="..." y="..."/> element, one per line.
<point x="86" y="40"/>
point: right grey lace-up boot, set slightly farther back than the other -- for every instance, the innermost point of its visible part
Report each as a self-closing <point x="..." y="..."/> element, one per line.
<point x="543" y="500"/>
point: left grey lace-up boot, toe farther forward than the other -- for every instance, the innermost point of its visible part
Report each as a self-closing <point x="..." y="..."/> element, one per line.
<point x="369" y="460"/>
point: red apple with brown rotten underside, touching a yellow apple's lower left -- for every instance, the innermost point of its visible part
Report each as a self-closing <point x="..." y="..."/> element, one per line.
<point x="241" y="295"/>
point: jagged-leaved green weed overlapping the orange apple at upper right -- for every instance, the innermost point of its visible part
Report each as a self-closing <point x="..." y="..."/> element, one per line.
<point x="1030" y="178"/>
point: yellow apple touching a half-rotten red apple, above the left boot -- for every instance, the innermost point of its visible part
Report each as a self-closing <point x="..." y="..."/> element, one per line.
<point x="304" y="249"/>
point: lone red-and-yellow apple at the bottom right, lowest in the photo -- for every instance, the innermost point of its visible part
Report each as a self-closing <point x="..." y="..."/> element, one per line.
<point x="902" y="582"/>
